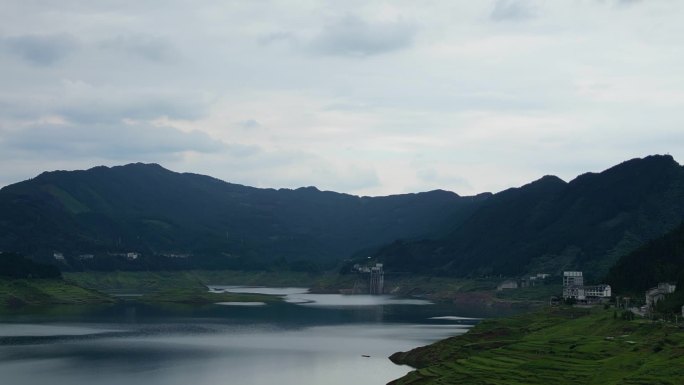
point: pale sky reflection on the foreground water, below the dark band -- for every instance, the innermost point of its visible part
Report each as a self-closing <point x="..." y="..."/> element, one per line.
<point x="261" y="355"/>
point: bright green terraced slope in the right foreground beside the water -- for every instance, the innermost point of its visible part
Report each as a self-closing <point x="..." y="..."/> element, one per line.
<point x="553" y="346"/>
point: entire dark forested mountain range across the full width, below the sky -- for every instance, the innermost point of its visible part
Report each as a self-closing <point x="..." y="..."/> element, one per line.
<point x="545" y="226"/>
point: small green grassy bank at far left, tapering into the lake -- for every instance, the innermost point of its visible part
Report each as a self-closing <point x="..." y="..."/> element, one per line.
<point x="26" y="292"/>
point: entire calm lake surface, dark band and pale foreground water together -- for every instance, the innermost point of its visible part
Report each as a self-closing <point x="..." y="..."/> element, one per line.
<point x="309" y="339"/>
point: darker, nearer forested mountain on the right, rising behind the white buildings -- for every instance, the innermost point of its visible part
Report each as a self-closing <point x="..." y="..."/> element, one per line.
<point x="550" y="225"/>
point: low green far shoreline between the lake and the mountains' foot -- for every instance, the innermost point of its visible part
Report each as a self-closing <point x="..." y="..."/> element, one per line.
<point x="191" y="287"/>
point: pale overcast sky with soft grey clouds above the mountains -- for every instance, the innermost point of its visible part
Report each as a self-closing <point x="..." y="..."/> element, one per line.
<point x="363" y="97"/>
